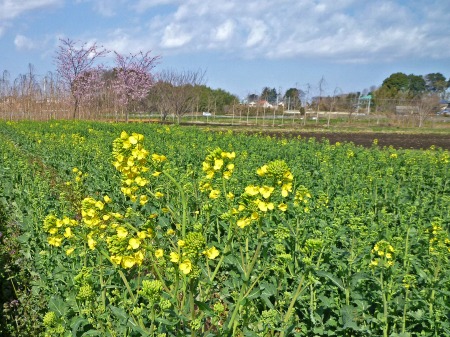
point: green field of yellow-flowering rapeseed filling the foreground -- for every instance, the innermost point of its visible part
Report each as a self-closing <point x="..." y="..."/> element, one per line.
<point x="153" y="230"/>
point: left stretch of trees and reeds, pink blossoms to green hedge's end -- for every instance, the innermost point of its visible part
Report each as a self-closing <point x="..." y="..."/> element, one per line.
<point x="83" y="87"/>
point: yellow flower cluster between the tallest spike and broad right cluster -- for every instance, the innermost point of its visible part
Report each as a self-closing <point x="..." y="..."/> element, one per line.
<point x="217" y="164"/>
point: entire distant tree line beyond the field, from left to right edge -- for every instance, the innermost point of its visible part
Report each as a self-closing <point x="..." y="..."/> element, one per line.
<point x="83" y="87"/>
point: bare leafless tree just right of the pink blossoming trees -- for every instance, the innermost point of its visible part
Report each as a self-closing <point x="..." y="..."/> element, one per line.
<point x="174" y="92"/>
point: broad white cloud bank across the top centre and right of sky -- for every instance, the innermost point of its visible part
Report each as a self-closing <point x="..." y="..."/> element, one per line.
<point x="340" y="30"/>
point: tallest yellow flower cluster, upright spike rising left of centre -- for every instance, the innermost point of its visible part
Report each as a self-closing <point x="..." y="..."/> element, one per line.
<point x="131" y="161"/>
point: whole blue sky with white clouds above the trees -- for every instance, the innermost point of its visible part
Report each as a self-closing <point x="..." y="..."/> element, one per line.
<point x="242" y="45"/>
